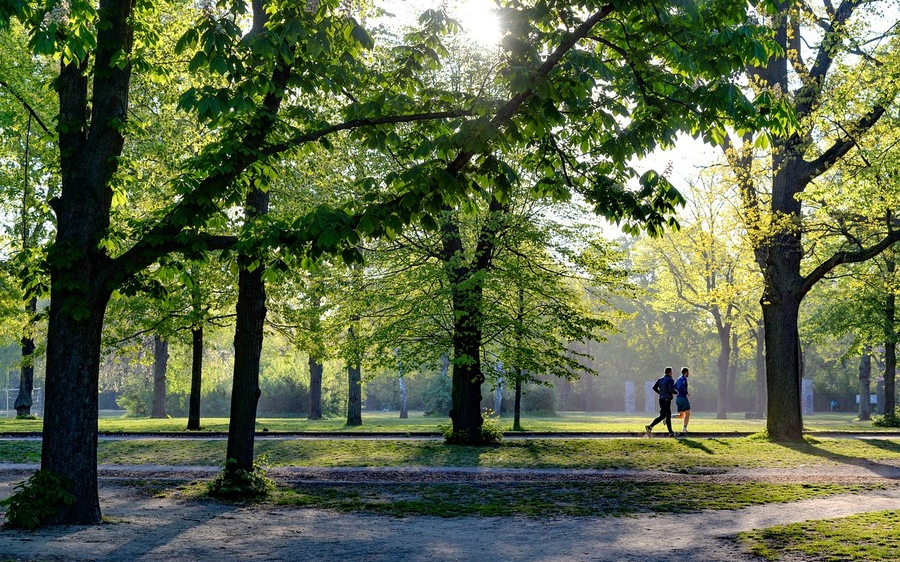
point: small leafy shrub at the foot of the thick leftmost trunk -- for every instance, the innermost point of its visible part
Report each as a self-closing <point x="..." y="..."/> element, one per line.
<point x="38" y="500"/>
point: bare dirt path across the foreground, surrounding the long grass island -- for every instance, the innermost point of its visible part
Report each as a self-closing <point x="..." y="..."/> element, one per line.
<point x="166" y="529"/>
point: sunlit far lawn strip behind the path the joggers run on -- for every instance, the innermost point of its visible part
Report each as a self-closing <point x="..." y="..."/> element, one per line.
<point x="375" y="422"/>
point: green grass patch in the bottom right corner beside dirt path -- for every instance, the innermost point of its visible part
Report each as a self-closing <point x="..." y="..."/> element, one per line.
<point x="870" y="537"/>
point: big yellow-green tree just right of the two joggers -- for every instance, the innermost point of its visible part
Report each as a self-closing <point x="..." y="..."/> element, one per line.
<point x="837" y="69"/>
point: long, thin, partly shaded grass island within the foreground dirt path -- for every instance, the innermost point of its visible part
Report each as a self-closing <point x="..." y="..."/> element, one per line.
<point x="543" y="499"/>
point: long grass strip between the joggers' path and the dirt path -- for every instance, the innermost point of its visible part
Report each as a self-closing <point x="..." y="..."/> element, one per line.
<point x="678" y="455"/>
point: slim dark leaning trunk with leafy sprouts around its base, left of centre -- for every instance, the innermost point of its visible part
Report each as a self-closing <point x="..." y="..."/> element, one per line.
<point x="248" y="338"/>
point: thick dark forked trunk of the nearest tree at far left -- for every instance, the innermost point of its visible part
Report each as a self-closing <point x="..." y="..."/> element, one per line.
<point x="90" y="141"/>
